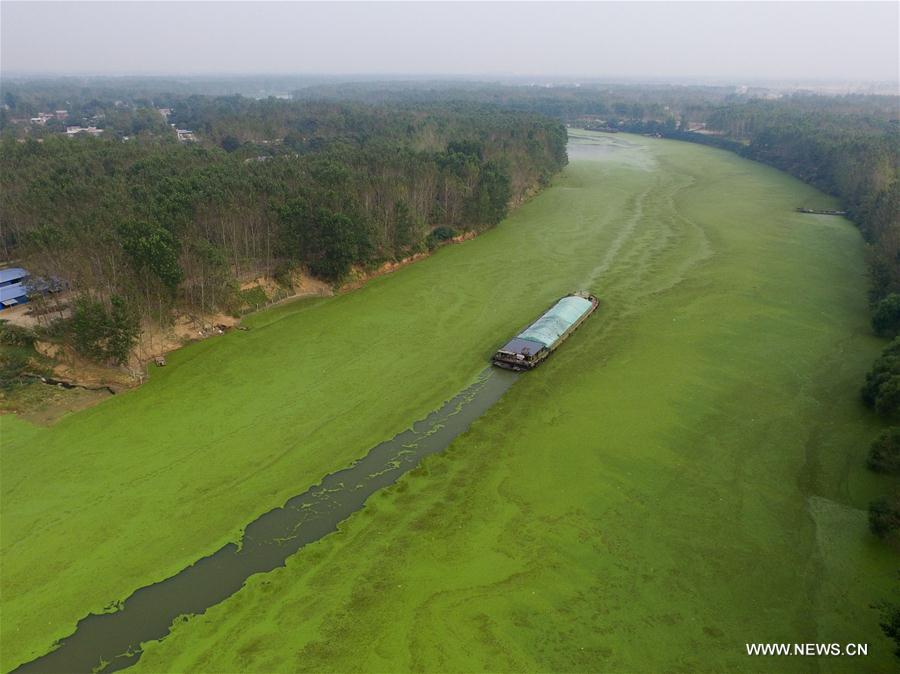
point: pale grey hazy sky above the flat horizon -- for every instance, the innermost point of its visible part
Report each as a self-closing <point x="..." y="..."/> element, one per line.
<point x="730" y="40"/>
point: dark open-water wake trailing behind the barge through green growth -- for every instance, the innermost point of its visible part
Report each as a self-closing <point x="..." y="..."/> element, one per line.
<point x="111" y="641"/>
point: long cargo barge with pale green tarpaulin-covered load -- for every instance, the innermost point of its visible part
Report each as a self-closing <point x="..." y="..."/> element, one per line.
<point x="531" y="347"/>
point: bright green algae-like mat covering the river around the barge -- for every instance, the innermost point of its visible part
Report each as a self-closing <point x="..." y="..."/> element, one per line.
<point x="685" y="475"/>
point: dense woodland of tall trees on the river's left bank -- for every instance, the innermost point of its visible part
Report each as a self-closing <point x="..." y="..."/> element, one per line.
<point x="271" y="186"/>
